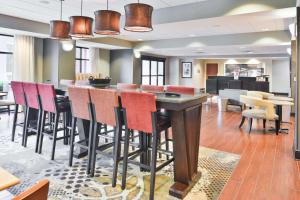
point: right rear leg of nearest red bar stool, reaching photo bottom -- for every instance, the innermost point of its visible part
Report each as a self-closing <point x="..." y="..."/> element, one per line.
<point x="153" y="165"/>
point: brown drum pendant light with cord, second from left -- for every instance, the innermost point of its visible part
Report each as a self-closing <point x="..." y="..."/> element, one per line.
<point x="81" y="26"/>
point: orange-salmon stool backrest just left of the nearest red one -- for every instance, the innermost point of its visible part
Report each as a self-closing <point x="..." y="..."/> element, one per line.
<point x="105" y="101"/>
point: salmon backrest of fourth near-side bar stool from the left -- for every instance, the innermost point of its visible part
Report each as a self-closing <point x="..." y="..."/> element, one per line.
<point x="80" y="102"/>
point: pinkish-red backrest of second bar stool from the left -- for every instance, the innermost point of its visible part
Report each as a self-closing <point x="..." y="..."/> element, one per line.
<point x="31" y="95"/>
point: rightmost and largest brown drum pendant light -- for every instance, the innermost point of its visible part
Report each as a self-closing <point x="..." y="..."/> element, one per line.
<point x="138" y="17"/>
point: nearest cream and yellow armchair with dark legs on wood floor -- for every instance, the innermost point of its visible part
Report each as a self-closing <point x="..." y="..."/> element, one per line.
<point x="261" y="109"/>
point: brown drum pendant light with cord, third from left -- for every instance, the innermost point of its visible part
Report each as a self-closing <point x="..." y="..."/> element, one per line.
<point x="107" y="22"/>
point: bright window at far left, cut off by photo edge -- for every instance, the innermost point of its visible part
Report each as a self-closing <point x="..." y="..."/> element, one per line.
<point x="6" y="60"/>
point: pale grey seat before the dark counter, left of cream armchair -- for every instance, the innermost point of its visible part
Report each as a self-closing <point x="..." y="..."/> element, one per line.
<point x="230" y="97"/>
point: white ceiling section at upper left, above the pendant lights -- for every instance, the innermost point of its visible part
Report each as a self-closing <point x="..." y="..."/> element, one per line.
<point x="46" y="10"/>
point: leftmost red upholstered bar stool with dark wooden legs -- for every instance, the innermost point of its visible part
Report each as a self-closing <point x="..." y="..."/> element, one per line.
<point x="18" y="92"/>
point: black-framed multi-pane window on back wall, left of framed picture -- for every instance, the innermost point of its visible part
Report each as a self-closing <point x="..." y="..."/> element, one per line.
<point x="153" y="71"/>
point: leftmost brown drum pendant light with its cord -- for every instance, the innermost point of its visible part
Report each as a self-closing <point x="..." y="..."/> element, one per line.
<point x="59" y="29"/>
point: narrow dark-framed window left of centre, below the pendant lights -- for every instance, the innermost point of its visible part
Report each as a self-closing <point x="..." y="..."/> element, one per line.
<point x="82" y="60"/>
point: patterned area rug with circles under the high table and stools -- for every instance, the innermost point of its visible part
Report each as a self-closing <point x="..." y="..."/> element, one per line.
<point x="72" y="183"/>
